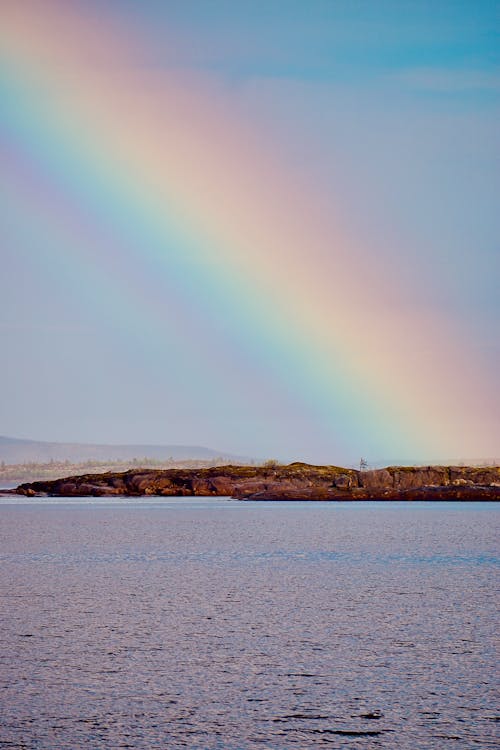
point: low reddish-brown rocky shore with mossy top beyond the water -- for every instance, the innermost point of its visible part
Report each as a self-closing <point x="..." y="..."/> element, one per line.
<point x="296" y="481"/>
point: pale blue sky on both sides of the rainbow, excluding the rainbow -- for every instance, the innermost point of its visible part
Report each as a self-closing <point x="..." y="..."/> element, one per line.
<point x="391" y="108"/>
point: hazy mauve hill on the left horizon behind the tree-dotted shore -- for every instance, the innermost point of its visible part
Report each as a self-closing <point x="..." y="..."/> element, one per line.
<point x="17" y="451"/>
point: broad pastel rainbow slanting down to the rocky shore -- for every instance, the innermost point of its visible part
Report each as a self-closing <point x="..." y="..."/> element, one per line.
<point x="147" y="179"/>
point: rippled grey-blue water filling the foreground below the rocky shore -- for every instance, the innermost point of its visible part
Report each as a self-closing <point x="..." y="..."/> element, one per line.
<point x="207" y="624"/>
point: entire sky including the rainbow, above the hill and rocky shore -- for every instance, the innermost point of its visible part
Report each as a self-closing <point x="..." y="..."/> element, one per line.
<point x="270" y="228"/>
